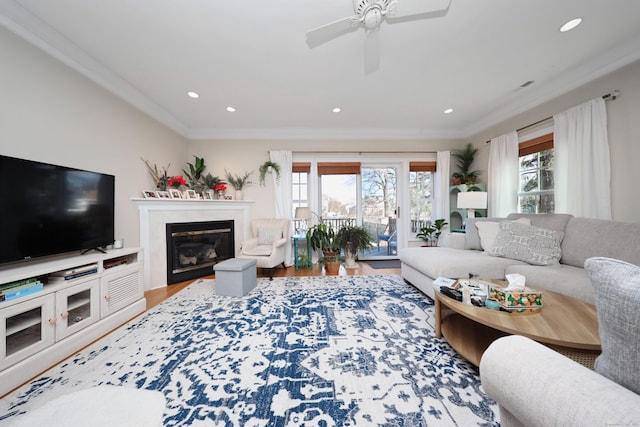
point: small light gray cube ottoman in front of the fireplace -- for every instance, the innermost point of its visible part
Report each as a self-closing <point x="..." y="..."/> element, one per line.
<point x="235" y="277"/>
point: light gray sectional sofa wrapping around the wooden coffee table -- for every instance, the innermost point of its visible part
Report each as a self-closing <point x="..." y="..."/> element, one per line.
<point x="534" y="385"/>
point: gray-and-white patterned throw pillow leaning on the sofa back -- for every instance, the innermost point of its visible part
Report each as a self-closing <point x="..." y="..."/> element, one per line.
<point x="534" y="245"/>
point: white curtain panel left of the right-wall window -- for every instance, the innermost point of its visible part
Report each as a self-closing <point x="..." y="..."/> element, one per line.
<point x="503" y="176"/>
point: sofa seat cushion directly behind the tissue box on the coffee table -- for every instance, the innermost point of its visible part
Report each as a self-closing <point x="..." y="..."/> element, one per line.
<point x="563" y="279"/>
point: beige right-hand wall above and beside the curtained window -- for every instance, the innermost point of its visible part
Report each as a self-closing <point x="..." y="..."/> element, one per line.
<point x="624" y="132"/>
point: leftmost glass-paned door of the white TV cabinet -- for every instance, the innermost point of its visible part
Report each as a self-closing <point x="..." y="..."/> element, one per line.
<point x="25" y="329"/>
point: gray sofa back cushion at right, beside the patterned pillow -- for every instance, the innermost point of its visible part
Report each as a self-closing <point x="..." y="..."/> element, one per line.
<point x="588" y="237"/>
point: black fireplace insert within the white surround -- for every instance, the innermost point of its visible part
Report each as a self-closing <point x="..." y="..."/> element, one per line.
<point x="193" y="248"/>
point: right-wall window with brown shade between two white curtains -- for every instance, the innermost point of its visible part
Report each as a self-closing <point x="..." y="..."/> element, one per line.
<point x="535" y="192"/>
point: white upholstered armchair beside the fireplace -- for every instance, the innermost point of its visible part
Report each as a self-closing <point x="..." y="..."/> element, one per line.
<point x="268" y="244"/>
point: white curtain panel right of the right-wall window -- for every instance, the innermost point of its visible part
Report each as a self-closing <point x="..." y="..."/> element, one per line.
<point x="582" y="169"/>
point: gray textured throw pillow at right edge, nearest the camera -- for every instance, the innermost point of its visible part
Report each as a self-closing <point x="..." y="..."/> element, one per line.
<point x="617" y="290"/>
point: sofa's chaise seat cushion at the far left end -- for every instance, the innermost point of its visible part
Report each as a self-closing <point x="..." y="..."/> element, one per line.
<point x="454" y="263"/>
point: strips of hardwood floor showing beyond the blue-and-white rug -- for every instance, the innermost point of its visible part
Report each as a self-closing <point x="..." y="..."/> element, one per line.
<point x="156" y="296"/>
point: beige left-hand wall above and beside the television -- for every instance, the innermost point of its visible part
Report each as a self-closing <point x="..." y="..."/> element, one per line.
<point x="52" y="114"/>
